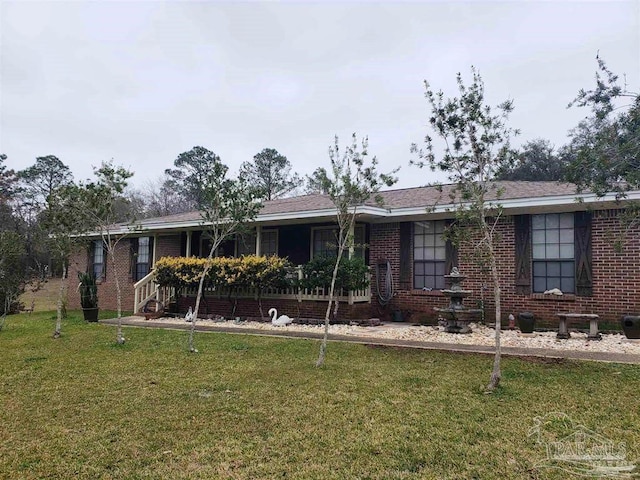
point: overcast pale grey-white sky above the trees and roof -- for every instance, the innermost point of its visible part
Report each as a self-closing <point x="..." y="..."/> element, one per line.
<point x="140" y="82"/>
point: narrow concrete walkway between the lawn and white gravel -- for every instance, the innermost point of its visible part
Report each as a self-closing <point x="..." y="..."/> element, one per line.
<point x="388" y="342"/>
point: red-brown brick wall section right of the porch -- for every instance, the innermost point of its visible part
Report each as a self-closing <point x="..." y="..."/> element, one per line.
<point x="616" y="277"/>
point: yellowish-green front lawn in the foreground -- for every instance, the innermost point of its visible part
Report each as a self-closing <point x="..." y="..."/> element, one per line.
<point x="252" y="407"/>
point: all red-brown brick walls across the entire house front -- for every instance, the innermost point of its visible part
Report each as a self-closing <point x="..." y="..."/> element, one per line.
<point x="616" y="280"/>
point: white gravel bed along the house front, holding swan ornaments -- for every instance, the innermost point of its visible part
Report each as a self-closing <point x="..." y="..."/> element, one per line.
<point x="615" y="343"/>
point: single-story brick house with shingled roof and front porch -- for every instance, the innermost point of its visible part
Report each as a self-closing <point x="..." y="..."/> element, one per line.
<point x="548" y="240"/>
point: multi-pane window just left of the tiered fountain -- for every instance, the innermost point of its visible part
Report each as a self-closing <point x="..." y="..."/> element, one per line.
<point x="429" y="255"/>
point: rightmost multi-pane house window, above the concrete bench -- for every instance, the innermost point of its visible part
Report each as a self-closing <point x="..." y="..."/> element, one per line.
<point x="553" y="252"/>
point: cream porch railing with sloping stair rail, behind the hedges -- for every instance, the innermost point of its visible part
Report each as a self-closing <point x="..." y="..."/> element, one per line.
<point x="146" y="289"/>
